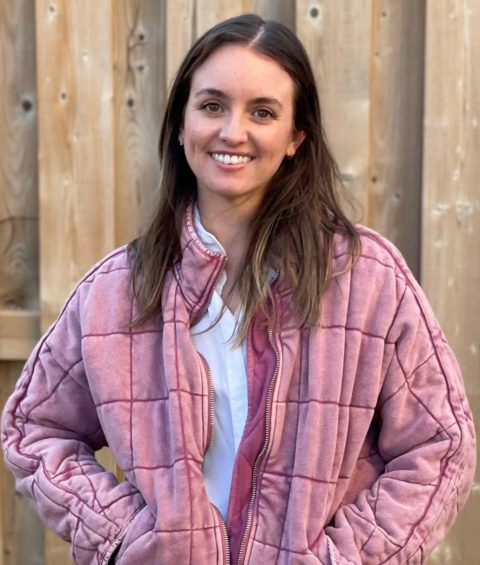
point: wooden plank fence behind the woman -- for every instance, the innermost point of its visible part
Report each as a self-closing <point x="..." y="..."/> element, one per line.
<point x="82" y="86"/>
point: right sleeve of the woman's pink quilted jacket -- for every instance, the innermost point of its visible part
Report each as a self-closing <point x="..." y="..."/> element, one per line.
<point x="426" y="440"/>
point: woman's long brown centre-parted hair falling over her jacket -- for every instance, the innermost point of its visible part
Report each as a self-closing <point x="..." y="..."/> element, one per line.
<point x="292" y="229"/>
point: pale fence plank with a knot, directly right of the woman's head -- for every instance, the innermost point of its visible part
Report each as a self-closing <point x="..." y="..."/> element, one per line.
<point x="336" y="35"/>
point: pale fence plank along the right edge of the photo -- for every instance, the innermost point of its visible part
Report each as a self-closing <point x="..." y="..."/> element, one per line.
<point x="451" y="213"/>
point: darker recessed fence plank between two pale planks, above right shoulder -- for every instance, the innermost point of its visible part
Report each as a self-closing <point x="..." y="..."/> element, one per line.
<point x="396" y="133"/>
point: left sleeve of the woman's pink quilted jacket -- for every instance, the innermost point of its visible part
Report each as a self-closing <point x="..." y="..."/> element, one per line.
<point x="50" y="431"/>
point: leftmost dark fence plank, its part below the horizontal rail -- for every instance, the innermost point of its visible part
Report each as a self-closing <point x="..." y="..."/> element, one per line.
<point x="22" y="531"/>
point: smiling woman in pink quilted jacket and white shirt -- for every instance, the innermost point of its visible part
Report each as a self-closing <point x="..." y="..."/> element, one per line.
<point x="270" y="379"/>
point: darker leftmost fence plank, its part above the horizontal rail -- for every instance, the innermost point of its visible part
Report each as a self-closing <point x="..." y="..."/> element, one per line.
<point x="18" y="150"/>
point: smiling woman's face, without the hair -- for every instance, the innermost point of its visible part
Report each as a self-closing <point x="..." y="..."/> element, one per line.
<point x="238" y="124"/>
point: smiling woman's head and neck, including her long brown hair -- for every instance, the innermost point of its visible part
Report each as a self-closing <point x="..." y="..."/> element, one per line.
<point x="247" y="92"/>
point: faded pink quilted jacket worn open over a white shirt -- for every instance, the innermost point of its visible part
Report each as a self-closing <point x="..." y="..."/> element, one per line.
<point x="358" y="446"/>
